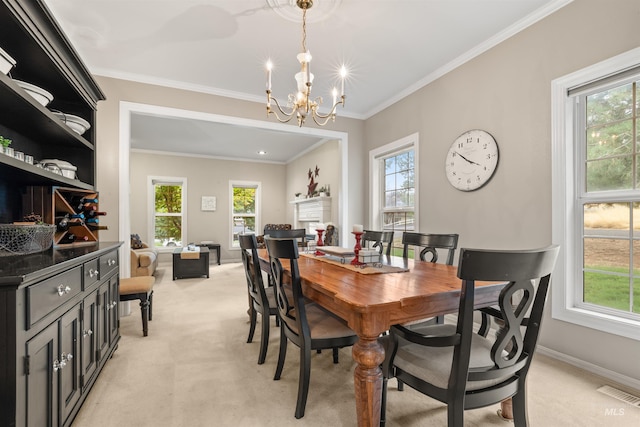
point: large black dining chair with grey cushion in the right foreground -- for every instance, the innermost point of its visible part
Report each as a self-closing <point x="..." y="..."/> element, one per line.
<point x="466" y="370"/>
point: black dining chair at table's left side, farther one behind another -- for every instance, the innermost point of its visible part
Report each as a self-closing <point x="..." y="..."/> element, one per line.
<point x="261" y="300"/>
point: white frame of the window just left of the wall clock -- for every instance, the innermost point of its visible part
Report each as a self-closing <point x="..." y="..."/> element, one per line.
<point x="376" y="177"/>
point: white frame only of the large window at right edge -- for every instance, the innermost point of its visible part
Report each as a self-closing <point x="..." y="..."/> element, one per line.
<point x="566" y="216"/>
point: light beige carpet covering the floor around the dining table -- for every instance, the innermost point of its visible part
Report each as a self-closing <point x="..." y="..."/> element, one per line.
<point x="196" y="369"/>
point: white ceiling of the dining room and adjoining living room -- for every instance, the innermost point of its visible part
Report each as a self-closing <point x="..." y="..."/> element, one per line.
<point x="391" y="48"/>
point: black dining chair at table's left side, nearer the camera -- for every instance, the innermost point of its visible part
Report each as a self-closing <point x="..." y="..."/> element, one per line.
<point x="308" y="326"/>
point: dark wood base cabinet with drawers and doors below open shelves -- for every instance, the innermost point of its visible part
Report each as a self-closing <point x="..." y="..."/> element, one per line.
<point x="52" y="355"/>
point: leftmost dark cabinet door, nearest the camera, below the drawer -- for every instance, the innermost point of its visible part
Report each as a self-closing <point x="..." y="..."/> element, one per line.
<point x="42" y="378"/>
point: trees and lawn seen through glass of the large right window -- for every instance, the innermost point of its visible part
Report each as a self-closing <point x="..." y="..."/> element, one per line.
<point x="611" y="202"/>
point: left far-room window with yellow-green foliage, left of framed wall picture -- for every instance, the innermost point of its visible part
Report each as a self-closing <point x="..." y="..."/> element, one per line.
<point x="169" y="210"/>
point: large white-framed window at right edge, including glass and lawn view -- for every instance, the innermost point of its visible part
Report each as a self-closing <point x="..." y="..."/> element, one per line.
<point x="596" y="201"/>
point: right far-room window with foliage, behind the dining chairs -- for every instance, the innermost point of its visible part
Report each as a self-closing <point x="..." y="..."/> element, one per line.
<point x="245" y="209"/>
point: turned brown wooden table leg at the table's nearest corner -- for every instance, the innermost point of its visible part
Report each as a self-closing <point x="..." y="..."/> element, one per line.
<point x="368" y="354"/>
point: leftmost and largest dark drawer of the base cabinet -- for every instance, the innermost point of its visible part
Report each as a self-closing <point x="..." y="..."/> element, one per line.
<point x="46" y="296"/>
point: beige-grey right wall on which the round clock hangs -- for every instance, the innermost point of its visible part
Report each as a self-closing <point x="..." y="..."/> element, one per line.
<point x="507" y="92"/>
